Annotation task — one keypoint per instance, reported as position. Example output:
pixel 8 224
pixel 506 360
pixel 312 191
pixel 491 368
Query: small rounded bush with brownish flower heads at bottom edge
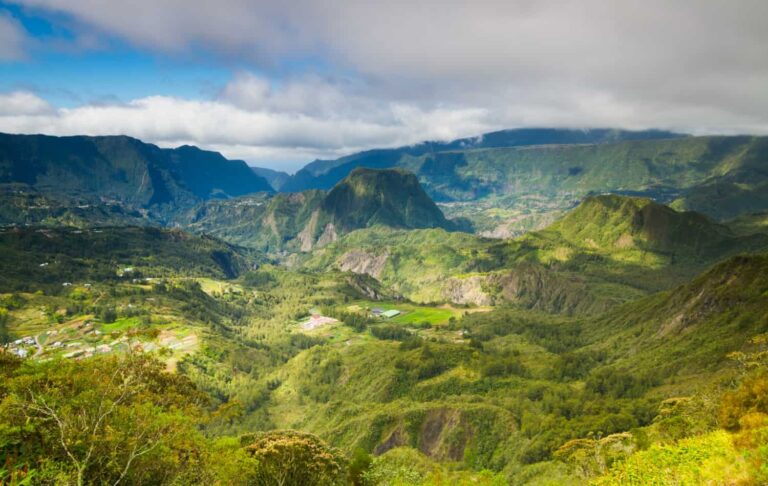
pixel 295 458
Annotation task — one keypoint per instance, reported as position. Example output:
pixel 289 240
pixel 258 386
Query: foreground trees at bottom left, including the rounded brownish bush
pixel 125 420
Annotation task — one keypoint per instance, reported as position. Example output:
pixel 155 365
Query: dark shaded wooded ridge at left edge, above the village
pixel 54 259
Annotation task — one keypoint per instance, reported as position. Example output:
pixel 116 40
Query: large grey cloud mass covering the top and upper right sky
pixel 684 58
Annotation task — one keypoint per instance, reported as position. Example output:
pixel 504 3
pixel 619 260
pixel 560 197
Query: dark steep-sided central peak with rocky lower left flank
pixel 302 221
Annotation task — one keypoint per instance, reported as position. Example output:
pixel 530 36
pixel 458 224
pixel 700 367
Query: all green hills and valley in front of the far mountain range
pixel 624 343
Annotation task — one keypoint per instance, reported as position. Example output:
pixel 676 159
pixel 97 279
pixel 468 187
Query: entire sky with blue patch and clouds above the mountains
pixel 279 84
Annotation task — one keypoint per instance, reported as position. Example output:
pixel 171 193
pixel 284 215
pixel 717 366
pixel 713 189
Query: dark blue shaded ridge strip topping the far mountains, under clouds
pixel 323 174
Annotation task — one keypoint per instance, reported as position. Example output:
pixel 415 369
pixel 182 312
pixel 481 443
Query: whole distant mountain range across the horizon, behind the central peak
pixel 500 184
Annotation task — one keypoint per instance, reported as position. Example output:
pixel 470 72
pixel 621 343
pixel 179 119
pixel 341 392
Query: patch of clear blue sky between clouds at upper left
pixel 69 75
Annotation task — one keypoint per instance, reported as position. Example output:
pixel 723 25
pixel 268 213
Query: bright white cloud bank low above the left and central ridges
pixel 273 134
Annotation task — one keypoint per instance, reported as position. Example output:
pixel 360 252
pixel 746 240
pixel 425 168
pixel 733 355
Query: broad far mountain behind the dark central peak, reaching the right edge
pixel 506 186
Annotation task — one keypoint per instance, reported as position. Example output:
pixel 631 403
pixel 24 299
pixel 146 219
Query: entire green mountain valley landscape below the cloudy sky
pixel 561 315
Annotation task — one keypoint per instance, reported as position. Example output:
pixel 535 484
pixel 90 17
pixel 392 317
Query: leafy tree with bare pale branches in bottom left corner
pixel 107 420
